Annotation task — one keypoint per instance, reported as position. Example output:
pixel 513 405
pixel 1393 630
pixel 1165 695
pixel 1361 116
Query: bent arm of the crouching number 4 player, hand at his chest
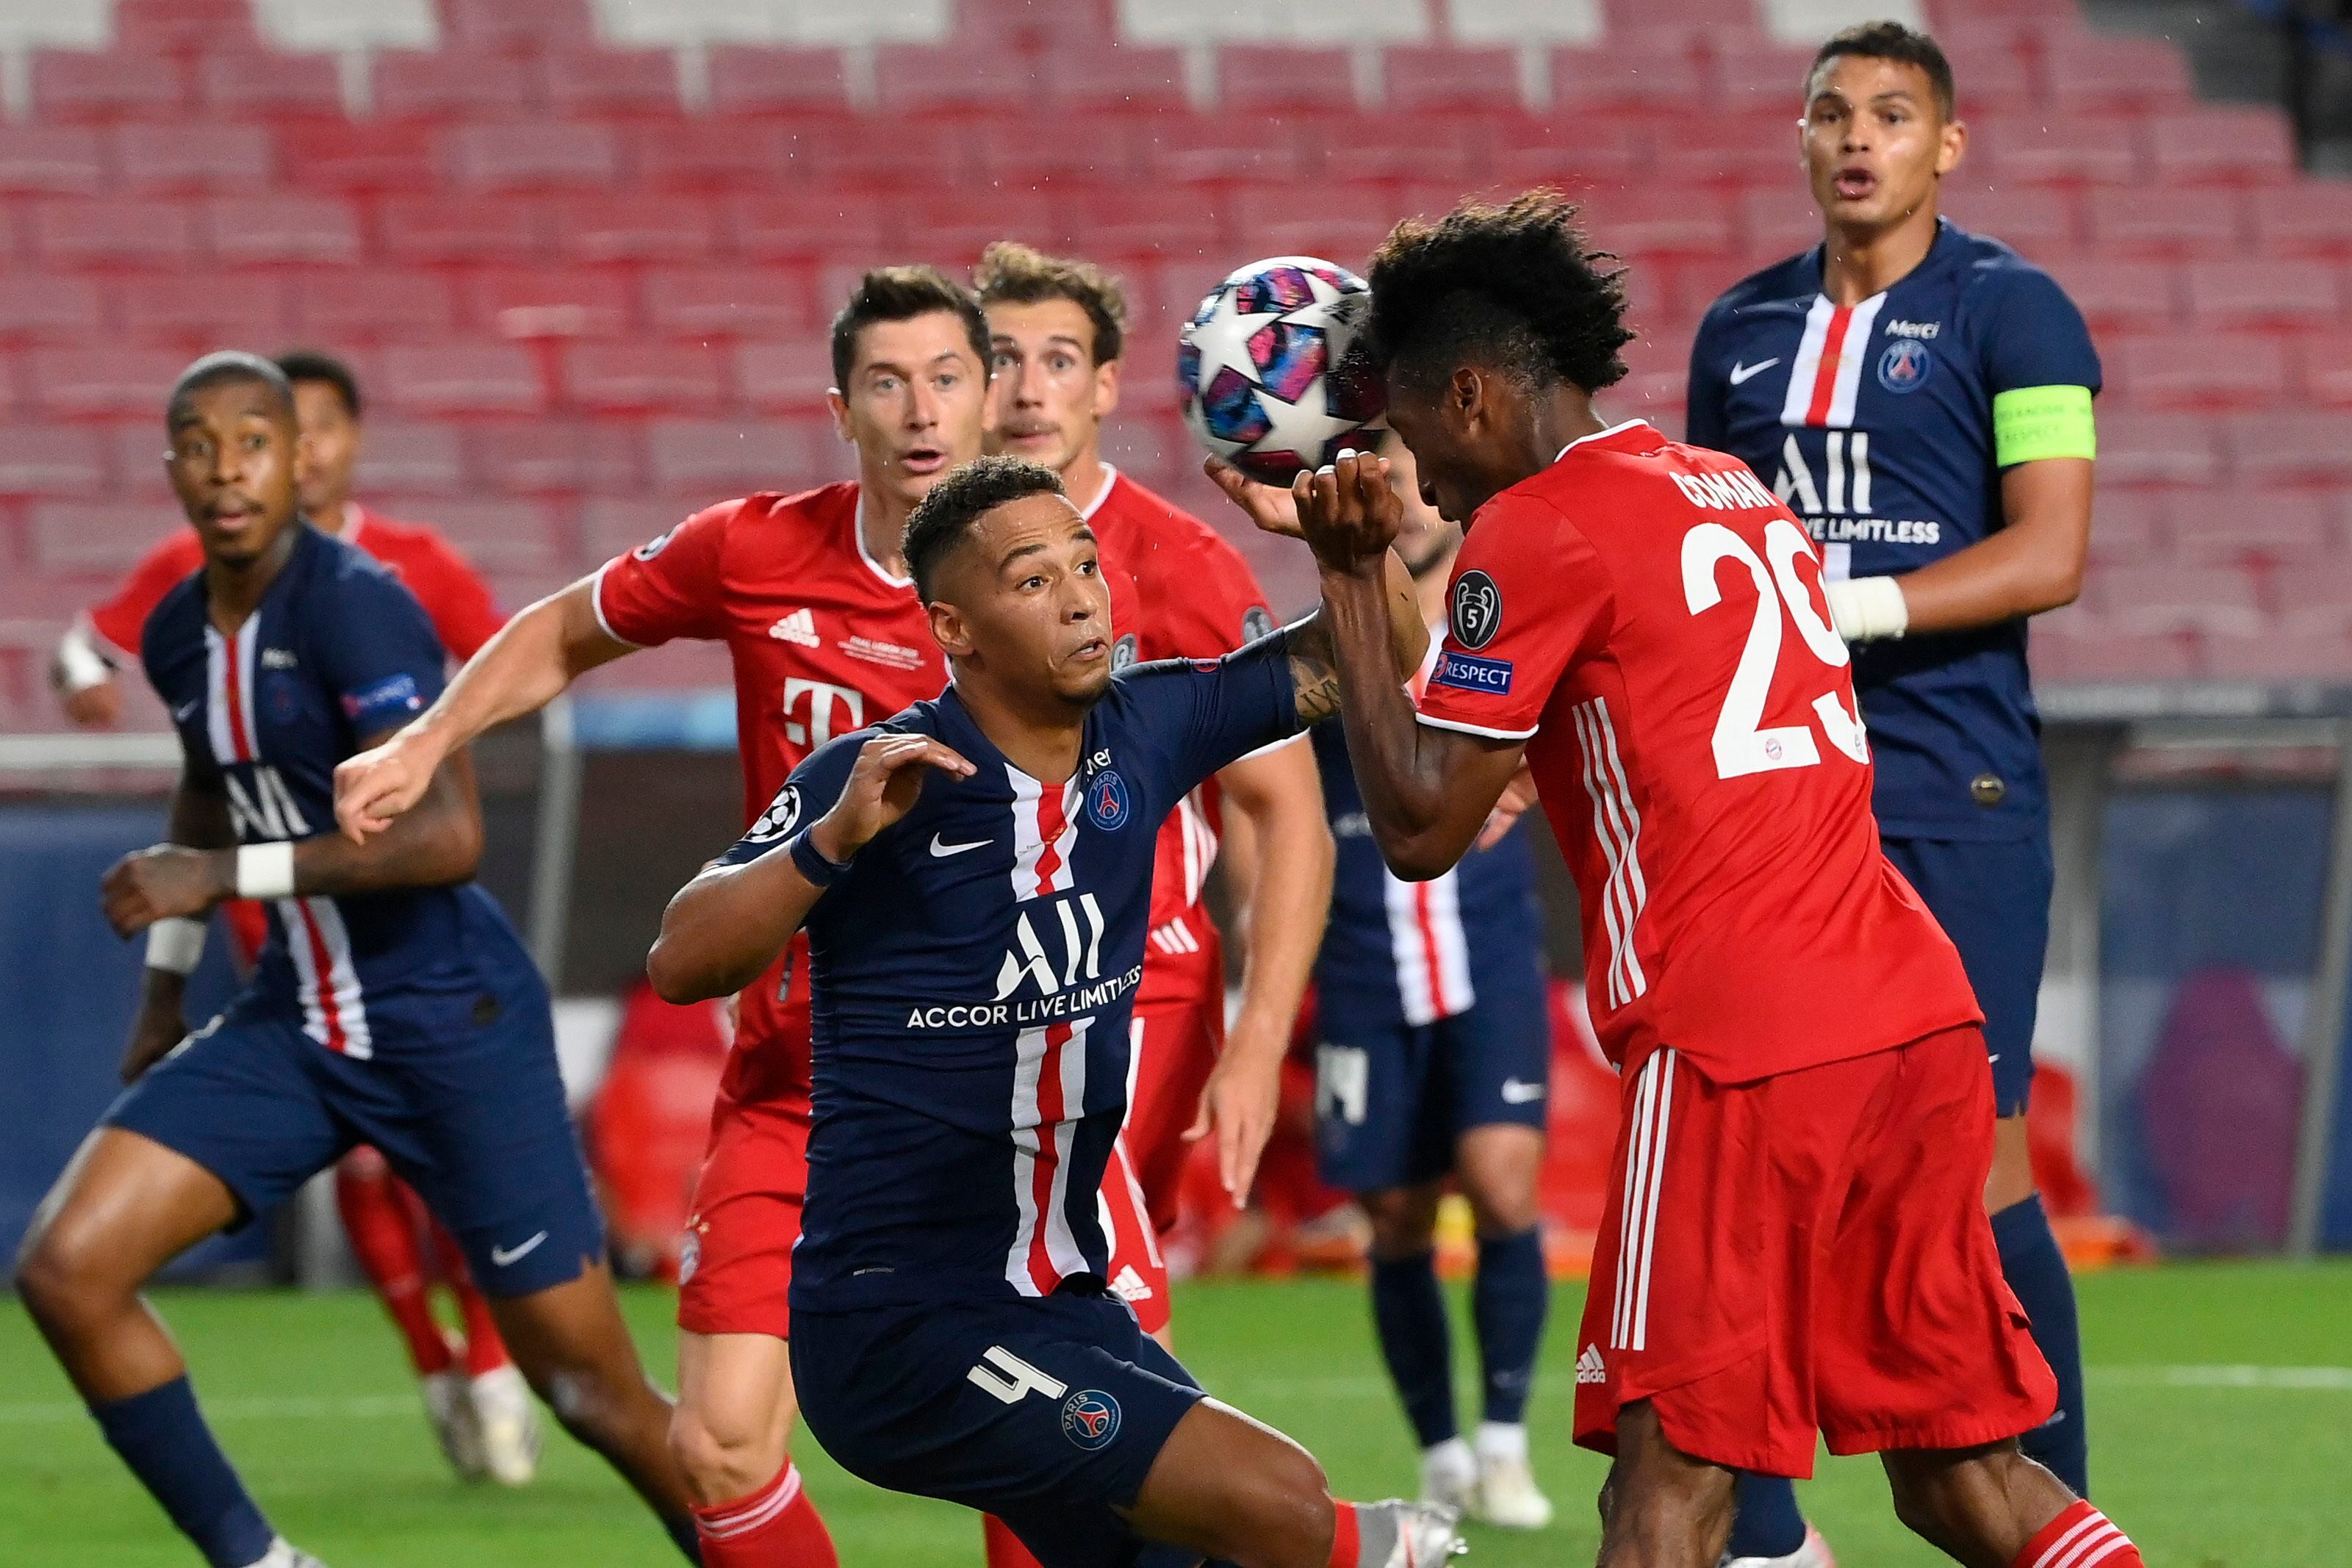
pixel 728 925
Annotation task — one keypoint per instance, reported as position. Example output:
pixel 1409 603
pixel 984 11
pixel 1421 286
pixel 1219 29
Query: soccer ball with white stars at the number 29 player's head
pixel 1271 375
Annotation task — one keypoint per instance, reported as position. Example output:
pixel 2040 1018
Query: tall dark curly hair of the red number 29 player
pixel 1514 288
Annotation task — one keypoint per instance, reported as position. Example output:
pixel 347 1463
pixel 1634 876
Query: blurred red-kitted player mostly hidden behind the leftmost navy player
pixel 474 1395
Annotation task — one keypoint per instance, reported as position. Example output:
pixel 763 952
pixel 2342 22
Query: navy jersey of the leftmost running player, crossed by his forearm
pixel 335 655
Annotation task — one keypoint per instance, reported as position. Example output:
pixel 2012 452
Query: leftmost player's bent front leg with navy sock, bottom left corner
pixel 123 1209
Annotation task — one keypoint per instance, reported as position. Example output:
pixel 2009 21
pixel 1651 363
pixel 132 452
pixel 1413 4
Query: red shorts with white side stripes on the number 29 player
pixel 1808 1254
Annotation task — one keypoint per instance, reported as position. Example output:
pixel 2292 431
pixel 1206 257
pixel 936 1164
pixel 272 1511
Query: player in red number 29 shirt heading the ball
pixel 1648 624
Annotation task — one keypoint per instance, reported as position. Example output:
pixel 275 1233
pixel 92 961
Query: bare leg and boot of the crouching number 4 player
pixel 1243 1494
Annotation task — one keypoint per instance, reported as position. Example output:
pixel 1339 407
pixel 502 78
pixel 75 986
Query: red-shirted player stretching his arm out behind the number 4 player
pixel 827 634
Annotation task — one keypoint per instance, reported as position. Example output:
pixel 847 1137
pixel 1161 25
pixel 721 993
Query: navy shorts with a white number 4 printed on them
pixel 1045 1414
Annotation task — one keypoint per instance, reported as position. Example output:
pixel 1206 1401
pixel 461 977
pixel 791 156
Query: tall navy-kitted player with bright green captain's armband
pixel 1923 398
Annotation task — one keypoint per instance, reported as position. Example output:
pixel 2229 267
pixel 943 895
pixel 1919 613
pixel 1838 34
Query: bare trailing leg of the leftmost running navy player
pixel 577 1355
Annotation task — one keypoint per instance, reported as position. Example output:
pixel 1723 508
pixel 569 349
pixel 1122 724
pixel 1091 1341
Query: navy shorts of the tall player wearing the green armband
pixel 1993 899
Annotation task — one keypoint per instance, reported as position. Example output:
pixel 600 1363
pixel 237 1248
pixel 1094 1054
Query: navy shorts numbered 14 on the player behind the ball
pixel 1394 1099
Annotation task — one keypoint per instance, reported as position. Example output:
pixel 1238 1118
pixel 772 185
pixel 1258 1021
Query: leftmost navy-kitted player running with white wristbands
pixel 392 1005
